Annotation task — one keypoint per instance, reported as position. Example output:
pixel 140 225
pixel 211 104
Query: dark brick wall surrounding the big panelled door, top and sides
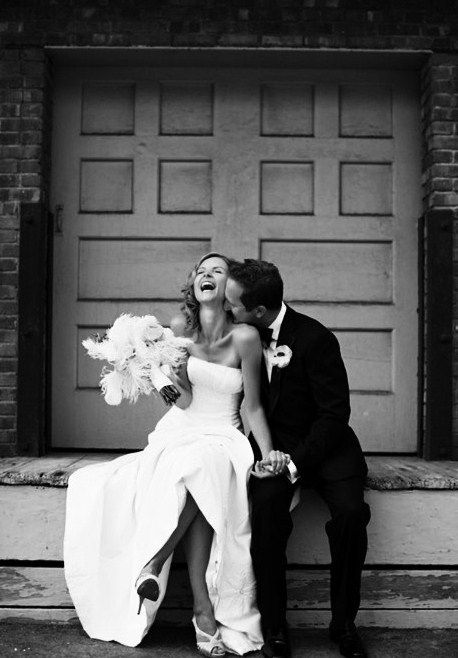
pixel 25 97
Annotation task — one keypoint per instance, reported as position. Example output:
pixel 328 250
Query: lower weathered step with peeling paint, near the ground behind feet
pixel 398 597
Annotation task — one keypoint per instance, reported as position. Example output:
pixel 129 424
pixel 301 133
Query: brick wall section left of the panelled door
pixel 24 169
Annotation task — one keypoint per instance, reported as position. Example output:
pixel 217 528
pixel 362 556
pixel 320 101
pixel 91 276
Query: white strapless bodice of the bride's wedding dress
pixel 216 392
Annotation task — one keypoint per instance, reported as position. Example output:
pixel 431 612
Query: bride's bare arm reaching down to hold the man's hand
pixel 250 350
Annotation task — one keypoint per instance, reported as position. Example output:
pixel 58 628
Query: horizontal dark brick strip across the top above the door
pixel 391 24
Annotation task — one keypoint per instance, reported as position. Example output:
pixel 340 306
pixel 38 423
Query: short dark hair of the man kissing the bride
pixel 261 282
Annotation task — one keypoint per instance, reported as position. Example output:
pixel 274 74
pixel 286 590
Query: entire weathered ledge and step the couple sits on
pixel 410 580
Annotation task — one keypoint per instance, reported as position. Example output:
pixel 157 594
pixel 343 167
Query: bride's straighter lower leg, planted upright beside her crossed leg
pixel 197 545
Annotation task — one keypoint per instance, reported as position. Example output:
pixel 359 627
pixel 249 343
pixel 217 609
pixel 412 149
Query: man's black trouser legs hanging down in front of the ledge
pixel 272 526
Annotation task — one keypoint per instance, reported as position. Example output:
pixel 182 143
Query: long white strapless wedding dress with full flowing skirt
pixel 120 513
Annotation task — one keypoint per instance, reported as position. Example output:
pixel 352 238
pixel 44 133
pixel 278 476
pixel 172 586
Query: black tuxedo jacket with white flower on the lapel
pixel 307 403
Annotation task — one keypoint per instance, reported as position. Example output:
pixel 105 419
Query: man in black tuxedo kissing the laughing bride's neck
pixel 305 395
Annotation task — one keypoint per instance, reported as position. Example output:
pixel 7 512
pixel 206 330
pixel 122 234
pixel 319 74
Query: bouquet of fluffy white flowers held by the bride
pixel 141 352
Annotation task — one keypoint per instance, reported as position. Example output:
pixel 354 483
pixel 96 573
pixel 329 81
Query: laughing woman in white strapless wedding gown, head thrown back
pixel 125 517
